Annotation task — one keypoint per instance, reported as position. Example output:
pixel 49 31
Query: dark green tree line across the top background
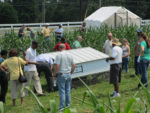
pixel 36 11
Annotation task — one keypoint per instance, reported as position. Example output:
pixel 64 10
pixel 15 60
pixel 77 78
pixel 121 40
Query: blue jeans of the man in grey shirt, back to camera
pixel 64 86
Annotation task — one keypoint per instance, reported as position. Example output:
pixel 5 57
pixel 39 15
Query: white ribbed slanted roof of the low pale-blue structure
pixel 83 55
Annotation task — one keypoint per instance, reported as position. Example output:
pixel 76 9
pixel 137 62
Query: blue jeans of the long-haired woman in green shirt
pixel 144 66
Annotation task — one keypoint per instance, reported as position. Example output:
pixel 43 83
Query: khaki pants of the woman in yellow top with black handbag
pixel 14 84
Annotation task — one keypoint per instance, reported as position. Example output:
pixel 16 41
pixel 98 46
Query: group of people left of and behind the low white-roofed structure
pixel 33 65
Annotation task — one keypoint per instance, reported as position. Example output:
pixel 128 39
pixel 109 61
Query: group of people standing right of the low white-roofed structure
pixel 119 58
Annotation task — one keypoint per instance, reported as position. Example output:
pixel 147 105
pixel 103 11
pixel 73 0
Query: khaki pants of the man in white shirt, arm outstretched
pixel 33 75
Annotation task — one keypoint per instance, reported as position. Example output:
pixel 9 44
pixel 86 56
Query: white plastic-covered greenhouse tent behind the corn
pixel 113 17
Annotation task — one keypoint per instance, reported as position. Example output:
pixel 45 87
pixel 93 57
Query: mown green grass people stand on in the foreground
pixel 128 88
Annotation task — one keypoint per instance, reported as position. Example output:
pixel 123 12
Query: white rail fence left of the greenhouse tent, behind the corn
pixel 38 26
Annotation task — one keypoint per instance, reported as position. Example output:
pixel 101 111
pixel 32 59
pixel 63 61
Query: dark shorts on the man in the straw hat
pixel 115 73
